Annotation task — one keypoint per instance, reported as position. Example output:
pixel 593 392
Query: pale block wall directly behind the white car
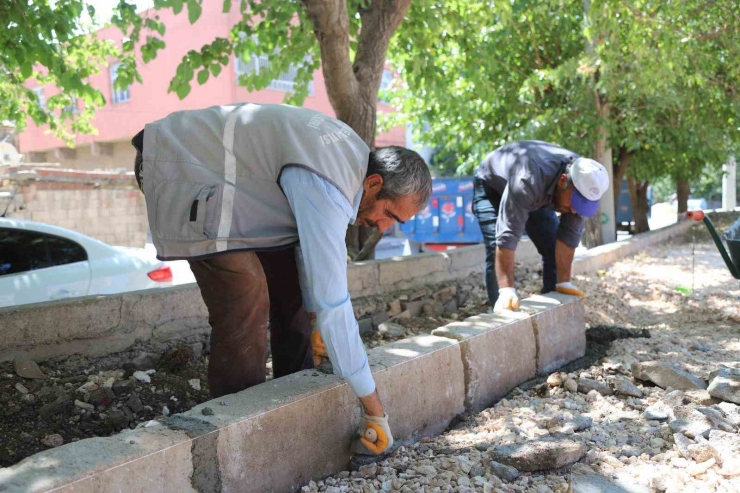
pixel 104 205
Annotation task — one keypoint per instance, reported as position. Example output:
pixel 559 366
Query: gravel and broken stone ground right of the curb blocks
pixel 602 428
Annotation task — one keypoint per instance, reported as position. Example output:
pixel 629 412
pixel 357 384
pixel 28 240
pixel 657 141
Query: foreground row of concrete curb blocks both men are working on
pixel 279 435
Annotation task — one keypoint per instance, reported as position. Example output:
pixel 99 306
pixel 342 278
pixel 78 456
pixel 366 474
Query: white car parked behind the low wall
pixel 40 262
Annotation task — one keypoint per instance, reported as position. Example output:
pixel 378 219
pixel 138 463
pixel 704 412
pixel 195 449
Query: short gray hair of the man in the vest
pixel 404 173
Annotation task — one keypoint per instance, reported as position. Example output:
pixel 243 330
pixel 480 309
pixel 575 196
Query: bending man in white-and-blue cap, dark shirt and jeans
pixel 518 188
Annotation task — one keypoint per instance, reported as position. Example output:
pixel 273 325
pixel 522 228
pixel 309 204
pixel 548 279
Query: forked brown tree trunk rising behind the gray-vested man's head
pixel 353 87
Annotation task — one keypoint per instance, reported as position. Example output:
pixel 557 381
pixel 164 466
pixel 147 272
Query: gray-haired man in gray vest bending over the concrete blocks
pixel 234 190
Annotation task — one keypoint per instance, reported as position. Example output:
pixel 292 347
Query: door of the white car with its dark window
pixel 37 267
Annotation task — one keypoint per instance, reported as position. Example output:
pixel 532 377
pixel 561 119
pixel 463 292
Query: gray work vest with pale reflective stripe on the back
pixel 211 176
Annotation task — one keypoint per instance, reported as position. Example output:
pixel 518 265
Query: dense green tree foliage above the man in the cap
pixel 669 72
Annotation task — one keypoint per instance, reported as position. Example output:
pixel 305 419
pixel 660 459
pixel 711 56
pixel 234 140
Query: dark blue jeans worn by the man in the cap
pixel 541 227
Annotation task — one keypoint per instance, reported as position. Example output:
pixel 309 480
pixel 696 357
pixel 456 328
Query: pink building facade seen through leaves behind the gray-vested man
pixel 126 112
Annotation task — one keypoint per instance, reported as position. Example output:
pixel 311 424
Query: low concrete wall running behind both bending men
pixel 108 324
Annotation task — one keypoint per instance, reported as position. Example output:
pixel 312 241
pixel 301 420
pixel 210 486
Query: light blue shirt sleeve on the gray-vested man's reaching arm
pixel 322 214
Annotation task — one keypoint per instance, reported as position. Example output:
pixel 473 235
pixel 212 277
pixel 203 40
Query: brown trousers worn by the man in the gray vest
pixel 244 291
